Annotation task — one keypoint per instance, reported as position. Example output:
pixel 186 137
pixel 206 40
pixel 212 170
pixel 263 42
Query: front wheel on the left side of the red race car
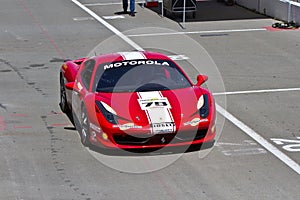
pixel 84 128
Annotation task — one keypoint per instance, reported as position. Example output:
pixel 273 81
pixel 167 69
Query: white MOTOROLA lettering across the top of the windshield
pixel 134 62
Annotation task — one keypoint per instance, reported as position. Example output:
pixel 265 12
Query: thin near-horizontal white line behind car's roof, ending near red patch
pixel 197 32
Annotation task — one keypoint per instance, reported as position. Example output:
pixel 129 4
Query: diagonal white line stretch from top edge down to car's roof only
pixel 107 25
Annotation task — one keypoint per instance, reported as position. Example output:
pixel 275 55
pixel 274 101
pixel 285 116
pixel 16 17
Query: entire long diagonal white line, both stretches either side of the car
pixel 272 149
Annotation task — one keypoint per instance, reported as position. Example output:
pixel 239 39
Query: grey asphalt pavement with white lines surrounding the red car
pixel 256 156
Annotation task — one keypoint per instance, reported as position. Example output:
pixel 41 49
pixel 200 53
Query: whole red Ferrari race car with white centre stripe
pixel 136 100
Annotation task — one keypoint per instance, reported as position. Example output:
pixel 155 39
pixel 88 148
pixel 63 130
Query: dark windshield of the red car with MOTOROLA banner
pixel 138 76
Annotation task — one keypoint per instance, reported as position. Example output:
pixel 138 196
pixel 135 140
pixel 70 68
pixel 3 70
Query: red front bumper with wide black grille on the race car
pixel 131 140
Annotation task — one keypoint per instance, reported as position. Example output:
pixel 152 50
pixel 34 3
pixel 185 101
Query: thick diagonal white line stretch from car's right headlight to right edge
pixel 271 148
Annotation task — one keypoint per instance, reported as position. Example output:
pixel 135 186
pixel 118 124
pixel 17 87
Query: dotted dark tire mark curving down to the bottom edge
pixel 56 147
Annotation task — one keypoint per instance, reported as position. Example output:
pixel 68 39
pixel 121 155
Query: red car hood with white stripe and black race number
pixel 143 108
